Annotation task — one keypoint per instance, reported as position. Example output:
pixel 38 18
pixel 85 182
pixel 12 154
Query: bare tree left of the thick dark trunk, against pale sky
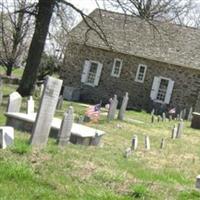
pixel 14 28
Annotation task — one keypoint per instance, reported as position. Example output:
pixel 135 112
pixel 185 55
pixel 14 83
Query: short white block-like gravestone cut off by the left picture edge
pixel 6 136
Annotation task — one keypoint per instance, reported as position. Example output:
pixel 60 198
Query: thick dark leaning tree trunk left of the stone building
pixel 43 19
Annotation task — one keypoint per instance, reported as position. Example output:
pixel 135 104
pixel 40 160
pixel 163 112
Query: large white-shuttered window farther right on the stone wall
pixel 162 88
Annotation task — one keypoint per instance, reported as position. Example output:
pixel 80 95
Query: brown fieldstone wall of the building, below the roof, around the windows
pixel 187 80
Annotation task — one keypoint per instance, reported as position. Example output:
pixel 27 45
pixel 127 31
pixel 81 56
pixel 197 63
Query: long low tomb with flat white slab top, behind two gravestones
pixel 80 134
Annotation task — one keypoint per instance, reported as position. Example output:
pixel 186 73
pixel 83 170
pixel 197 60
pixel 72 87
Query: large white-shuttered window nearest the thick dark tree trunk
pixel 91 72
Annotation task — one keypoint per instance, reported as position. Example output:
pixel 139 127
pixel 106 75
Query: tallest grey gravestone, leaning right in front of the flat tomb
pixel 46 111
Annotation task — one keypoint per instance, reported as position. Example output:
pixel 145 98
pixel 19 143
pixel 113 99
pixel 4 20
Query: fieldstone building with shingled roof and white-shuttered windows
pixel 157 63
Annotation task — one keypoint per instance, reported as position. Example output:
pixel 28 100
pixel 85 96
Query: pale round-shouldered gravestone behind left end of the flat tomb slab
pixel 14 102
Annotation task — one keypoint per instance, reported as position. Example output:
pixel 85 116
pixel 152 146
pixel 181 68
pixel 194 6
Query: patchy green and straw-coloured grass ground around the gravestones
pixel 102 172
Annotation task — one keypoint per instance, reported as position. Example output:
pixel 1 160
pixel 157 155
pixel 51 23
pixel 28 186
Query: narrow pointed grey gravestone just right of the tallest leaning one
pixel 66 126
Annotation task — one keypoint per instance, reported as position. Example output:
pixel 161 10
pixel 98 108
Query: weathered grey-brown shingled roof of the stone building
pixel 170 43
